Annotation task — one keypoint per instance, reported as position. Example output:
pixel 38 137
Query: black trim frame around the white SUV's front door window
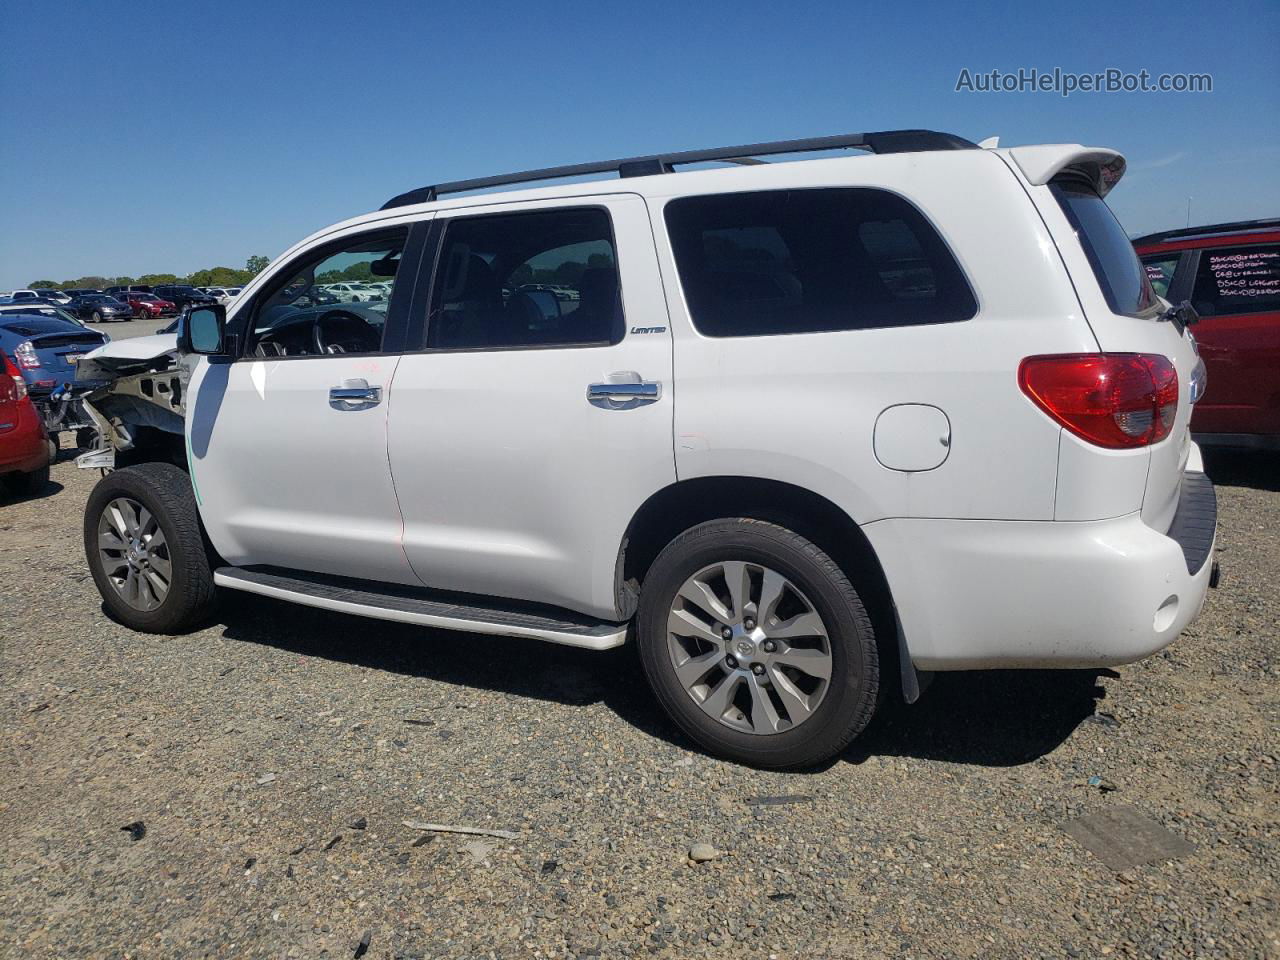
pixel 397 308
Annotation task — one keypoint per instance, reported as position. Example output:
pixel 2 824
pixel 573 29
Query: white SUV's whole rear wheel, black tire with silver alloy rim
pixel 815 586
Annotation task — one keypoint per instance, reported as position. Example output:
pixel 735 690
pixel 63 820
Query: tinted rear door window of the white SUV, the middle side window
pixel 537 280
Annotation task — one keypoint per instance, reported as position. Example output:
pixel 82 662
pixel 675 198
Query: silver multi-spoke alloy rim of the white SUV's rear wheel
pixel 749 648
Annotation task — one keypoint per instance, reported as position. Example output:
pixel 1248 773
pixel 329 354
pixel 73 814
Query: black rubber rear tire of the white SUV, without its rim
pixel 852 697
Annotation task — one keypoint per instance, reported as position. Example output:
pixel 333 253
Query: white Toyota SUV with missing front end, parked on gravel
pixel 811 431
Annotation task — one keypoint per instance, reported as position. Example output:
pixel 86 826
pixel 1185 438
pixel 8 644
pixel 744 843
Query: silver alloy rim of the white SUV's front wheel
pixel 135 554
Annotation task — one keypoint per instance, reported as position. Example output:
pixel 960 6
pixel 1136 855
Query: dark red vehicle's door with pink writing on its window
pixel 1237 294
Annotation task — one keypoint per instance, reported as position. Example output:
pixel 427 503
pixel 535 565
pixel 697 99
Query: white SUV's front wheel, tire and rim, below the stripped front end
pixel 166 493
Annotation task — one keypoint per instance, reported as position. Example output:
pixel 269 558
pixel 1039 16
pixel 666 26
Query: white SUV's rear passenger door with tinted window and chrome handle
pixel 538 415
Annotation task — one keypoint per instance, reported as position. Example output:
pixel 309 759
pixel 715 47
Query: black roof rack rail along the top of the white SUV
pixel 883 143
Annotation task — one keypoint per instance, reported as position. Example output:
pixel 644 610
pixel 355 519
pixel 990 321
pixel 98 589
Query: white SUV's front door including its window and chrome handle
pixel 289 444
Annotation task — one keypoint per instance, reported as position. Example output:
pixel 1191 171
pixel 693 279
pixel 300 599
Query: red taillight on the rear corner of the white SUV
pixel 1110 400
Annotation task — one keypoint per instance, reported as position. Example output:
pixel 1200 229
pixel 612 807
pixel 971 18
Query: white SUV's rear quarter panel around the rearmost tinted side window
pixel 803 409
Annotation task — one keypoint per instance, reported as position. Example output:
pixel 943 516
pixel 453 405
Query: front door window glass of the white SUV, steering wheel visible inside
pixel 296 317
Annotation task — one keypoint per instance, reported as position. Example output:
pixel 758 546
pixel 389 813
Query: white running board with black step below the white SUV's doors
pixel 409 606
